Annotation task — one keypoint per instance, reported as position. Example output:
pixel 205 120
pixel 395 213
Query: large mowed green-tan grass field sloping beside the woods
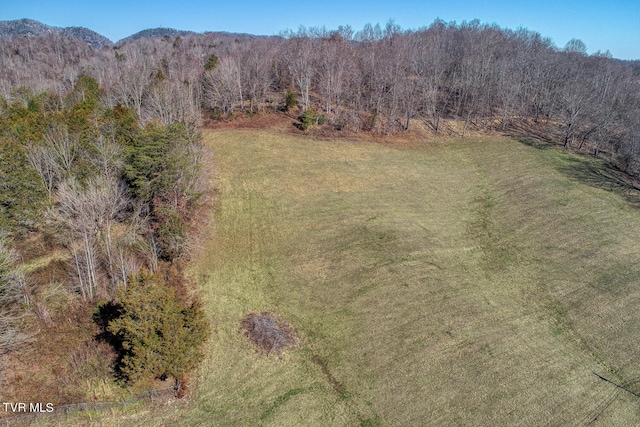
pixel 481 282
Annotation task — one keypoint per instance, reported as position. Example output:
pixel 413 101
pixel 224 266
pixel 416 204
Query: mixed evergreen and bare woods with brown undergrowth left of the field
pixel 94 204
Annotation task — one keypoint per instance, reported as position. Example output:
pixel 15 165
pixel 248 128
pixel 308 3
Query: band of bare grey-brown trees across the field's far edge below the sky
pixel 381 79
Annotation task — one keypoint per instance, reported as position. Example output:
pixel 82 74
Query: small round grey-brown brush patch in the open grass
pixel 268 333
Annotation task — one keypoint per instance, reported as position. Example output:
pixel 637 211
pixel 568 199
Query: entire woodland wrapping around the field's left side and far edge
pixel 101 165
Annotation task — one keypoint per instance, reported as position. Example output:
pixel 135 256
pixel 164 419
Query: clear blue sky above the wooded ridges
pixel 612 25
